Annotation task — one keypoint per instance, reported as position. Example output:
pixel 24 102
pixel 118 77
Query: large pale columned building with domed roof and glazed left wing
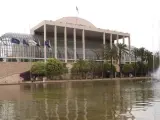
pixel 67 39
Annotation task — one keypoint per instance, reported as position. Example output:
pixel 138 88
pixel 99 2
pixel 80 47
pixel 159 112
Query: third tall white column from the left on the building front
pixel 65 44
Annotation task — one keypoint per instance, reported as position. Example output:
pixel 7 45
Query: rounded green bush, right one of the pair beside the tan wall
pixel 54 67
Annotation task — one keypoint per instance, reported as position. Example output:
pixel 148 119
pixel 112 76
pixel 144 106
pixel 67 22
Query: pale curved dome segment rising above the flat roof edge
pixel 75 20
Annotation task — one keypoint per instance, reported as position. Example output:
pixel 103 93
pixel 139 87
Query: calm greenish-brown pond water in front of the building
pixel 125 100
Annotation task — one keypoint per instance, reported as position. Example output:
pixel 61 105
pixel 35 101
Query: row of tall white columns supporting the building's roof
pixel 83 43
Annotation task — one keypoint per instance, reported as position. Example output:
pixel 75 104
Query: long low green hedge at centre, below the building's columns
pixel 83 69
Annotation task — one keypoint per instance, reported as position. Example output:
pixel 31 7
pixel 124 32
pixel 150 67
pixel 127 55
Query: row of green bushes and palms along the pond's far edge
pixel 90 69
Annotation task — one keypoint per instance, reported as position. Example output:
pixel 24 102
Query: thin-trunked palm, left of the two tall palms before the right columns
pixel 111 53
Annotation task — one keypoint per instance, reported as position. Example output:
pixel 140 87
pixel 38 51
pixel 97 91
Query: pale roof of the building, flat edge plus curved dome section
pixel 71 22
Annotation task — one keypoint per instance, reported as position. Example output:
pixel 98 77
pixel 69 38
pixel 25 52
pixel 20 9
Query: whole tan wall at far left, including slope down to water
pixel 10 70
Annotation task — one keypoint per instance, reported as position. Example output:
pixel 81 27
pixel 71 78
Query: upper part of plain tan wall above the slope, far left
pixel 11 68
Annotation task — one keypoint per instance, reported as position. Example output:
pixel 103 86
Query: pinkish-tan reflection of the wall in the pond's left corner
pixel 11 97
